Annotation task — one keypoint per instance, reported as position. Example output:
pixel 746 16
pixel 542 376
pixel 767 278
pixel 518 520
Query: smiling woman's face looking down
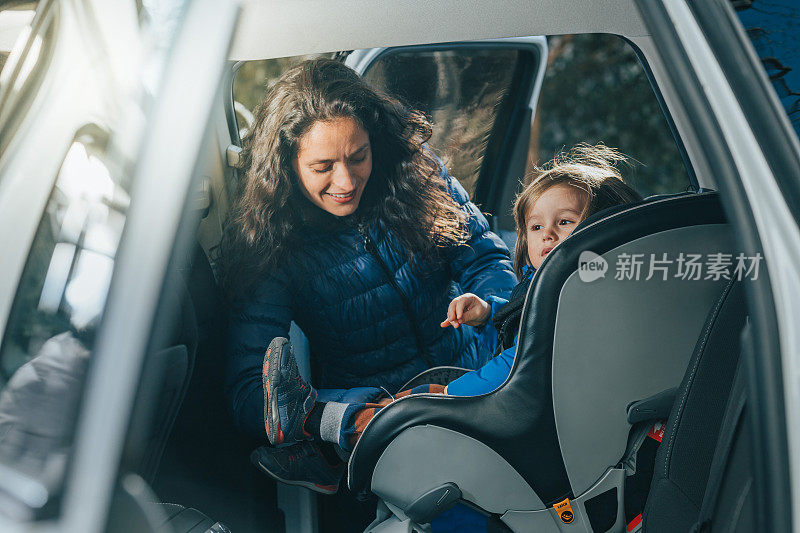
pixel 334 161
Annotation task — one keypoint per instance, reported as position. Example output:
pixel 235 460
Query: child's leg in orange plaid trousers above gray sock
pixel 343 423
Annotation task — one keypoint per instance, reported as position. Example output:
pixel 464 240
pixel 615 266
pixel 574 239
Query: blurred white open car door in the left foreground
pixel 92 188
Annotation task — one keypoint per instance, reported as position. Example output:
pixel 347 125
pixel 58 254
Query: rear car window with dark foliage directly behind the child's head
pixel 596 90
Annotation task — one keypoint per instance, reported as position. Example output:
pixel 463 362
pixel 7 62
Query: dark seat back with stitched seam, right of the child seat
pixel 684 458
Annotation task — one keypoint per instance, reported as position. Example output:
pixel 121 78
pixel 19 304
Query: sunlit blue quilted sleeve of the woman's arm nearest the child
pixel 482 266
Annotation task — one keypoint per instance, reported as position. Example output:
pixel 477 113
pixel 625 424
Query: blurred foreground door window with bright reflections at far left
pixel 58 305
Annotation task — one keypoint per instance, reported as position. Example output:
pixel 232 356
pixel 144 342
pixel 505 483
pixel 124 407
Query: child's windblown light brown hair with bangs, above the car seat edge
pixel 592 169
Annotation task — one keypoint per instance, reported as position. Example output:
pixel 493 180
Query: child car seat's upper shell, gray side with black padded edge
pixel 523 421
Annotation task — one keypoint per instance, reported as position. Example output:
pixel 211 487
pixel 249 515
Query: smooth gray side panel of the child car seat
pixel 621 340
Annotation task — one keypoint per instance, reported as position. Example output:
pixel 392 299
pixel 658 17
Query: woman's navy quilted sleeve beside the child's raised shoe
pixel 263 314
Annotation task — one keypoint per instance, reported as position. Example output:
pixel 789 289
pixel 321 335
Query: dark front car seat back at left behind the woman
pixel 206 461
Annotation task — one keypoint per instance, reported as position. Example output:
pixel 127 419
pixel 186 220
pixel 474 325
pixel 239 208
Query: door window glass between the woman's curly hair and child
pixel 460 90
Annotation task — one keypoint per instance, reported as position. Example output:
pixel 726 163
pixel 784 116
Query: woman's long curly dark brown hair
pixel 405 191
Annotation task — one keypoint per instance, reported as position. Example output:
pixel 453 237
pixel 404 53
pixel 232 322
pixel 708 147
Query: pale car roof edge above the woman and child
pixel 281 28
